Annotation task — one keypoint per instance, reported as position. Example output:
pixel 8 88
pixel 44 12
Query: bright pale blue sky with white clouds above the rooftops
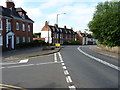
pixel 78 12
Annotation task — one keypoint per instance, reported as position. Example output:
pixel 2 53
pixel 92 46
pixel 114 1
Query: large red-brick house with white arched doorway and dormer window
pixel 15 26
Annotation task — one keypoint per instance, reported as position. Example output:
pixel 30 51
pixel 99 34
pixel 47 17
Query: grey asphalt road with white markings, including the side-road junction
pixel 75 67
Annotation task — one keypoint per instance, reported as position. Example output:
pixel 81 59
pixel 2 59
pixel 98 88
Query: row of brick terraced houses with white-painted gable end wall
pixel 55 34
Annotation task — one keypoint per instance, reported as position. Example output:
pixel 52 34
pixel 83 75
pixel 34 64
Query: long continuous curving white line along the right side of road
pixel 99 60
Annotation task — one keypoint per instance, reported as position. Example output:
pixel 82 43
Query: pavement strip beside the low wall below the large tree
pixel 104 52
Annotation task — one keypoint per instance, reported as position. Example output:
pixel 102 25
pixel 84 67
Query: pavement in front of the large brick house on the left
pixel 26 53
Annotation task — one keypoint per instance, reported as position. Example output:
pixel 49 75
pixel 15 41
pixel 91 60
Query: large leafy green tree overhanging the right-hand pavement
pixel 105 23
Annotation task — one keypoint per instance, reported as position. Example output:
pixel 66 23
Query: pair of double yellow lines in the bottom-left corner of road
pixel 10 87
